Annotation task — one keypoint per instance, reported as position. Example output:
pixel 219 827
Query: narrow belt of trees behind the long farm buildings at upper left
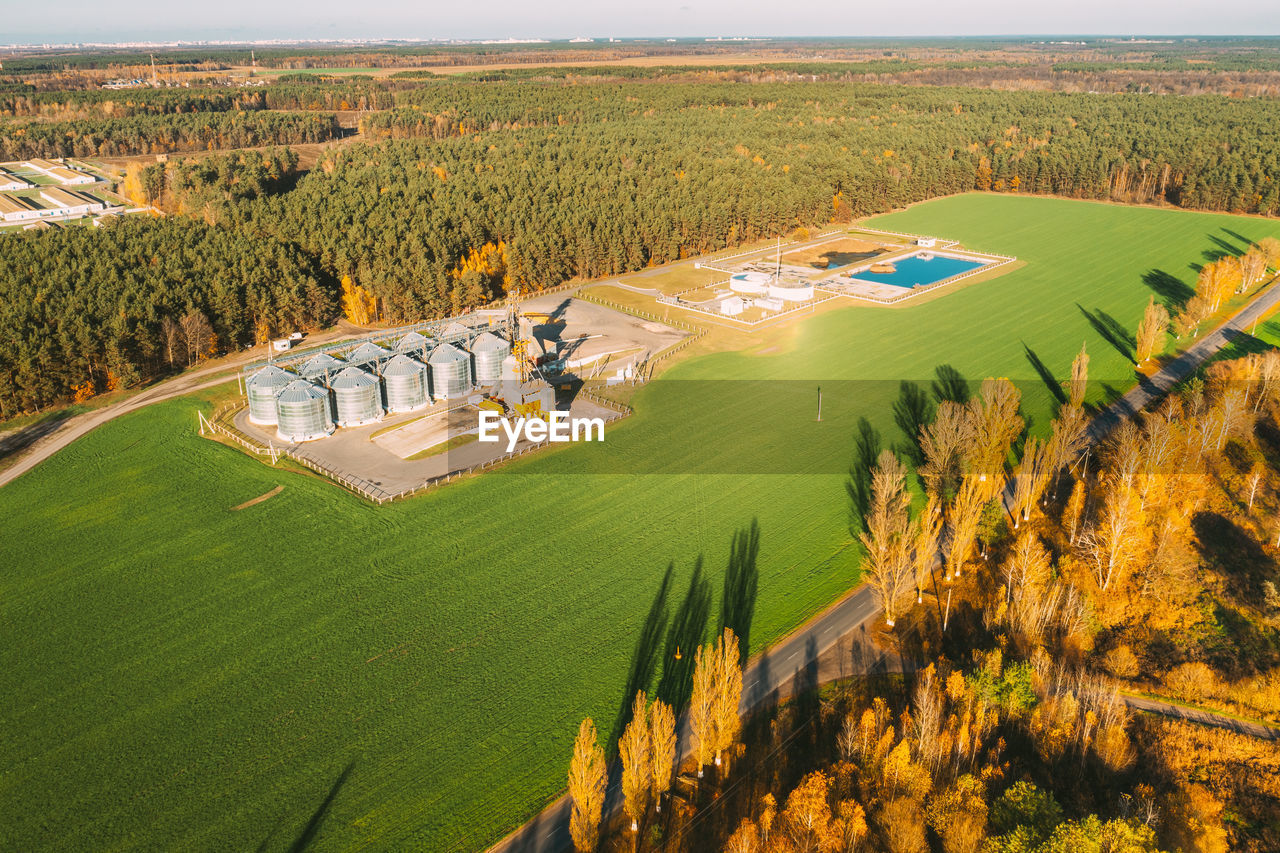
pixel 163 134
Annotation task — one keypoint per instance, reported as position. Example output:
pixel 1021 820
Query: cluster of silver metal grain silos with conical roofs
pixel 371 382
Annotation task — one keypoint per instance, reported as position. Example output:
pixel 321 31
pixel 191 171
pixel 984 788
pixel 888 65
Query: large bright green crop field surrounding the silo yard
pixel 177 676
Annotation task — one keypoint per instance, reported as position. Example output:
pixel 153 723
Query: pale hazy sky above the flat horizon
pixel 111 21
